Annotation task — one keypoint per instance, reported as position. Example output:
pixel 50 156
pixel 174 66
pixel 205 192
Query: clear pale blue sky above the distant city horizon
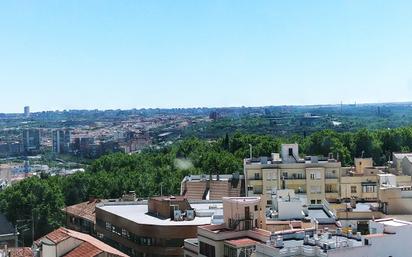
pixel 57 55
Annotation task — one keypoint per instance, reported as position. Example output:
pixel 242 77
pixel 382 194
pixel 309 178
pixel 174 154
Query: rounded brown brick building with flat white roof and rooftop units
pixel 157 226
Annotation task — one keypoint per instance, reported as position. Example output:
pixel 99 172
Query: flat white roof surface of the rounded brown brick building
pixel 138 212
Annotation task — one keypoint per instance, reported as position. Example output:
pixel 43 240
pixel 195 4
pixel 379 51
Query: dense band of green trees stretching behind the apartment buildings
pixel 42 198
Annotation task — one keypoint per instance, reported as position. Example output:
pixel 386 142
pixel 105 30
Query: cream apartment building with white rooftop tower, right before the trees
pixel 317 177
